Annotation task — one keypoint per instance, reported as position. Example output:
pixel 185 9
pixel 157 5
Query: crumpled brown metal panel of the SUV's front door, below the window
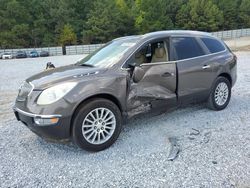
pixel 155 90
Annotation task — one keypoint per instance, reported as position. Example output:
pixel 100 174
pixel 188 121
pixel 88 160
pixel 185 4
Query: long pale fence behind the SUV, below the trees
pixel 87 49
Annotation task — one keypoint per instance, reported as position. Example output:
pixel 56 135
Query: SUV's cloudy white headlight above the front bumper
pixel 55 93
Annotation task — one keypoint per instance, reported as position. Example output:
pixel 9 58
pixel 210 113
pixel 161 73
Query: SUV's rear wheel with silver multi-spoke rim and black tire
pixel 214 102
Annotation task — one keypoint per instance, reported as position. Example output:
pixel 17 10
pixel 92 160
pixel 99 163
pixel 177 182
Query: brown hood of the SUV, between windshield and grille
pixel 51 77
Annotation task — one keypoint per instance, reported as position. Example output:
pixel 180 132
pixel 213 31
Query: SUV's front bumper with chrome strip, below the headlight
pixel 58 131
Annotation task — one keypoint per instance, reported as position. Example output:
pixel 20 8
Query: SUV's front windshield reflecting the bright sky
pixel 109 54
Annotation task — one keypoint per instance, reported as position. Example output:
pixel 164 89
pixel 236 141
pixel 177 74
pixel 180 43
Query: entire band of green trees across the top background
pixel 35 23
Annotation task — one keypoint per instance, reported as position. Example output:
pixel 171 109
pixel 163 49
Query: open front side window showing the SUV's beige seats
pixel 153 52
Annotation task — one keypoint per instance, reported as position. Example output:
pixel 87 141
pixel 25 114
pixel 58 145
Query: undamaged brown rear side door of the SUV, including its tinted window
pixel 195 70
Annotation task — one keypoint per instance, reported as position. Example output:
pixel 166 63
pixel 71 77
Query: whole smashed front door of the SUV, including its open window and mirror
pixel 153 80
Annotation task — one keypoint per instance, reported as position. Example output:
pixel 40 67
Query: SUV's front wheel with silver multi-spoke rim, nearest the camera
pixel 85 124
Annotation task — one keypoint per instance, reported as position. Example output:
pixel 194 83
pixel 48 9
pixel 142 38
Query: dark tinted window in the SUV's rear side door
pixel 186 47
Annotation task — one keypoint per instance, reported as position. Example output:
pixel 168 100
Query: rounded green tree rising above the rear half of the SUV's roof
pixel 199 15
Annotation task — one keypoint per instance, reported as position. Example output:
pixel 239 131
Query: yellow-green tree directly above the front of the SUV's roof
pixel 152 16
